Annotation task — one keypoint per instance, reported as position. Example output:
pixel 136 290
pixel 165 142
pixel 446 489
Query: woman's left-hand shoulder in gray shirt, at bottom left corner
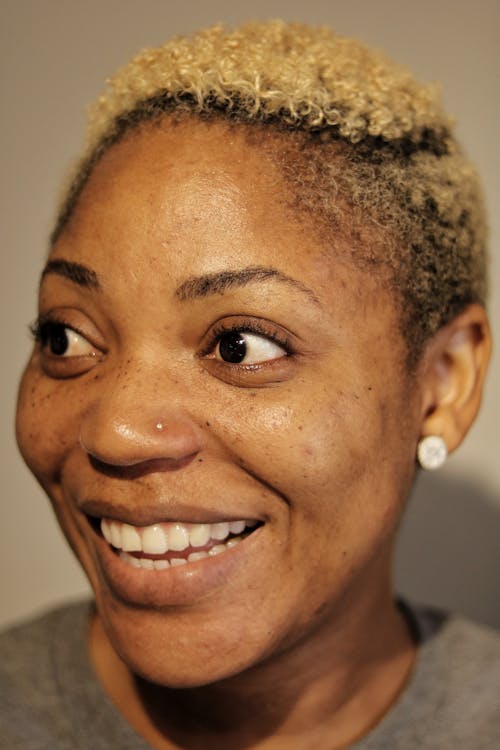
pixel 50 698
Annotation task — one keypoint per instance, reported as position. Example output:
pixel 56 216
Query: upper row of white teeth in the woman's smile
pixel 162 537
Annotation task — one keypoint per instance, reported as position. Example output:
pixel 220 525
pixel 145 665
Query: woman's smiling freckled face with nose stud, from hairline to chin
pixel 205 360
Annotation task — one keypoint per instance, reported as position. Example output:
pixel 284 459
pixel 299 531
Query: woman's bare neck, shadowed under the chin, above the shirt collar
pixel 337 684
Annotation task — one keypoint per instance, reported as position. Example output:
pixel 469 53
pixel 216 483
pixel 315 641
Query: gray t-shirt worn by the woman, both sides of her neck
pixel 51 700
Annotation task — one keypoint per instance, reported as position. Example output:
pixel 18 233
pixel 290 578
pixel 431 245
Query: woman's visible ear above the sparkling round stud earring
pixel 453 371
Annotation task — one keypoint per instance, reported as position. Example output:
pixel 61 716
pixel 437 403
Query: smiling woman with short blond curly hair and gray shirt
pixel 263 305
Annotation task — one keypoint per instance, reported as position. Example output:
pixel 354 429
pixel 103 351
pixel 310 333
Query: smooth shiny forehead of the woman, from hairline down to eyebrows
pixel 198 197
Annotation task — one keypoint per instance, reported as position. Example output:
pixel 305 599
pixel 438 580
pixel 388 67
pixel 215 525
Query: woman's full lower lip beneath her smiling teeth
pixel 174 586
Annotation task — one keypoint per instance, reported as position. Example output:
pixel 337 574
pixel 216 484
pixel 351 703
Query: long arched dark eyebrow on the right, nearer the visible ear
pixel 223 281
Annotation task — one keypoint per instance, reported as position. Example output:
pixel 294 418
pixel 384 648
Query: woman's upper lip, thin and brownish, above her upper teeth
pixel 146 515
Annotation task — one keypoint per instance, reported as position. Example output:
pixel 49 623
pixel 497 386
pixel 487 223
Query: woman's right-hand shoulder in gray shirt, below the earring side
pixel 451 700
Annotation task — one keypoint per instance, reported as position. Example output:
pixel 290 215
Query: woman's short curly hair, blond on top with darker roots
pixel 365 146
